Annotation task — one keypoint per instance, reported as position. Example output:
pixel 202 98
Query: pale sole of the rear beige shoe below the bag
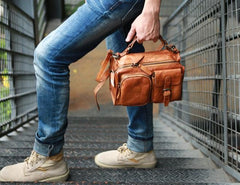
pixel 145 165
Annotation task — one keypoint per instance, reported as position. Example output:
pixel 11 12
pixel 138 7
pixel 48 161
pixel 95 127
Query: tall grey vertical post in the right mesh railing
pixel 224 76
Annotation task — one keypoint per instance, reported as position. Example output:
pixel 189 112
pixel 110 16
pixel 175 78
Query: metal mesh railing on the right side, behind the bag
pixel 208 35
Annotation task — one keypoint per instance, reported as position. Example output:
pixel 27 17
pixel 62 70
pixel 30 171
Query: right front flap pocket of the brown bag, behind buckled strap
pixel 167 80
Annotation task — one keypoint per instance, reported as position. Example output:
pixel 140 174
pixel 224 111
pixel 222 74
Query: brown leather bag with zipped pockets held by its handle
pixel 139 78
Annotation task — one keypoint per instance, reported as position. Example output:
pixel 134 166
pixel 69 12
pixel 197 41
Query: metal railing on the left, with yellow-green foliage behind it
pixel 17 79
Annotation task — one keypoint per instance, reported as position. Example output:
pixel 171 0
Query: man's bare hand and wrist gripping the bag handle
pixel 147 25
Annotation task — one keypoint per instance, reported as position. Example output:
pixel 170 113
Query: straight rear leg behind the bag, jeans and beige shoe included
pixel 140 128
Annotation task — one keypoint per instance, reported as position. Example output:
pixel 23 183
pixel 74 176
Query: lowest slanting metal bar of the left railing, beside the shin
pixel 21 124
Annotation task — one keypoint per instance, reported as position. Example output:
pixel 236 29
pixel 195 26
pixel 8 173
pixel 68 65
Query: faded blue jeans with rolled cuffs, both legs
pixel 79 34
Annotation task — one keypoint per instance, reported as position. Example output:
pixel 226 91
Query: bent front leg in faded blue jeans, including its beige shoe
pixel 79 34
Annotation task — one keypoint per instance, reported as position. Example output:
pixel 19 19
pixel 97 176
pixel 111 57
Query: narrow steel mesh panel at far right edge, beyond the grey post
pixel 232 48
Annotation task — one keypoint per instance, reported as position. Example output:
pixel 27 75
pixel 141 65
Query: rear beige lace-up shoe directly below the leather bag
pixel 125 158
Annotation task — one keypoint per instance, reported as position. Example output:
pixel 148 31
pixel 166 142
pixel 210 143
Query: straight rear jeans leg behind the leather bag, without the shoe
pixel 140 128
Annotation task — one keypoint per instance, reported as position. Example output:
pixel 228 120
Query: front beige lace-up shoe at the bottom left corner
pixel 37 168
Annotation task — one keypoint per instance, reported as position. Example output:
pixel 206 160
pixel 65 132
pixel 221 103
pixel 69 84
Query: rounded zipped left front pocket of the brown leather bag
pixel 134 90
